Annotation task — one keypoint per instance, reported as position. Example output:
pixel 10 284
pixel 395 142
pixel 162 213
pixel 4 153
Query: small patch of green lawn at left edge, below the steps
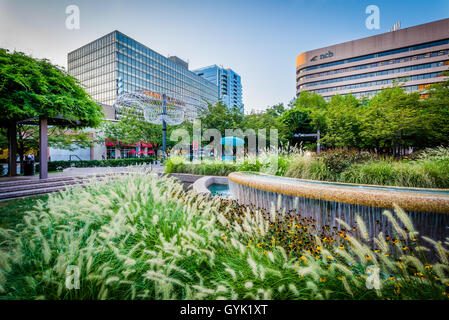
pixel 11 211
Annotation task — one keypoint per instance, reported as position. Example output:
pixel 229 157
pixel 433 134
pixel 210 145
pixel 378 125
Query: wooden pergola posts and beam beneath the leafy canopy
pixel 43 124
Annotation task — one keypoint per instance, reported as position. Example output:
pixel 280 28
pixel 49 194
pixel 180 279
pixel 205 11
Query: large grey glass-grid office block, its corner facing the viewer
pixel 116 64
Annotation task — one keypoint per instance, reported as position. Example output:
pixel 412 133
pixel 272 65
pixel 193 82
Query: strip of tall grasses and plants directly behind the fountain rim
pixel 428 169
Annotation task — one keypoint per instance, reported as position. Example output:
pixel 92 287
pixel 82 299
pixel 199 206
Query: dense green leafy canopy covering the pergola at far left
pixel 33 88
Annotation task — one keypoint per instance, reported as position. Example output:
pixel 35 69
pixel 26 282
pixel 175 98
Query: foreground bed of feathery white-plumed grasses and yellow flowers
pixel 143 237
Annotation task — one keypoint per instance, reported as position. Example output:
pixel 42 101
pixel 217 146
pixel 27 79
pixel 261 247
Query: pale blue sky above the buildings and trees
pixel 258 39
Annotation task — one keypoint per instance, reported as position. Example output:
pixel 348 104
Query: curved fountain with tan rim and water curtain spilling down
pixel 325 201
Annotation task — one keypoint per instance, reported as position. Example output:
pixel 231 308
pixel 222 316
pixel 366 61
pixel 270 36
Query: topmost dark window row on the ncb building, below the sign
pixel 377 64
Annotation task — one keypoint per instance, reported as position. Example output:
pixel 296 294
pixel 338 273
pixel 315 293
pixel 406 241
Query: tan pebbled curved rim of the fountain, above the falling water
pixel 411 199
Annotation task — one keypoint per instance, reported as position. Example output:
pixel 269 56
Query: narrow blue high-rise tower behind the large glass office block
pixel 229 83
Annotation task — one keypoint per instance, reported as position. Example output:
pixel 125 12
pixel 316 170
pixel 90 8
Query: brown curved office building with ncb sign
pixel 417 55
